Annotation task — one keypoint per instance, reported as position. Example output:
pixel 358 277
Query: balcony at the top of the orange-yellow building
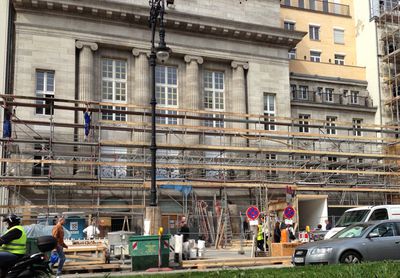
pixel 318 6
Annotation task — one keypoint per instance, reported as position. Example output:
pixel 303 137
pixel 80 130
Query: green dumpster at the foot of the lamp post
pixel 144 251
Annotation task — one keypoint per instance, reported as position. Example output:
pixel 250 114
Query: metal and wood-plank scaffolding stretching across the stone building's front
pixel 49 165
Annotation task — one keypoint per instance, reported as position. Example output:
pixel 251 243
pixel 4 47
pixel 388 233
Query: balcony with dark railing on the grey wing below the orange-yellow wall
pixel 313 97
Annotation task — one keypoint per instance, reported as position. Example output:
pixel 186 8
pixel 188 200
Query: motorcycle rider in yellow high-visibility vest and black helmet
pixel 12 244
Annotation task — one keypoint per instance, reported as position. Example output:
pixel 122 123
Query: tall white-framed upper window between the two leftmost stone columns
pixel 113 87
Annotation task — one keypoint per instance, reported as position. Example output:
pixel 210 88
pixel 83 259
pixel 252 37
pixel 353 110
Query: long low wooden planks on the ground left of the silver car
pixel 210 263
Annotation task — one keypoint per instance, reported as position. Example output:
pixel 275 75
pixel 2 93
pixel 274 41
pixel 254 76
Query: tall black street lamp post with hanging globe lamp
pixel 161 53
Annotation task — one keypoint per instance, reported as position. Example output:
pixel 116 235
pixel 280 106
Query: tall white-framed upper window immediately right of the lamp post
pixel 167 92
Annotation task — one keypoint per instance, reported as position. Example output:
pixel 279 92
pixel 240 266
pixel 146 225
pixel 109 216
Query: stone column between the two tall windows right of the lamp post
pixel 191 99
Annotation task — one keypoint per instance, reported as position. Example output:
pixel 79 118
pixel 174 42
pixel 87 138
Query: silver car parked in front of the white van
pixel 368 241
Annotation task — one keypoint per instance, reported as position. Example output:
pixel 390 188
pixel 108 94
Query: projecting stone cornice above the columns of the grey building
pixel 177 21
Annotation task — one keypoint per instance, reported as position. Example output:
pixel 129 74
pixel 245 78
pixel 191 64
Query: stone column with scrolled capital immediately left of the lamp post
pixel 141 93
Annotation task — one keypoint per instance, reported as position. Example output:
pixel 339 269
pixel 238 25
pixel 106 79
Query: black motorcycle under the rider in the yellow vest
pixel 35 265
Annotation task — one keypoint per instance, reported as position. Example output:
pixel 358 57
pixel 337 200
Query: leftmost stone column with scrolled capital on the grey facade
pixel 85 93
